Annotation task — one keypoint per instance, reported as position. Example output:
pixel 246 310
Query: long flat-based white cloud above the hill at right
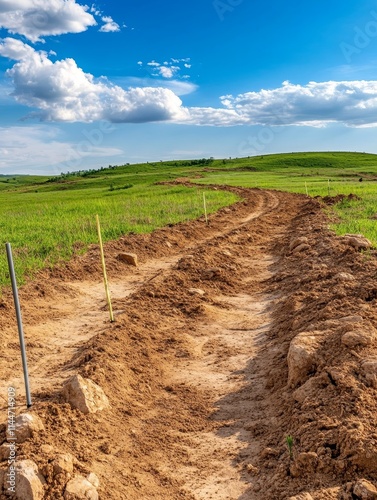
pixel 353 103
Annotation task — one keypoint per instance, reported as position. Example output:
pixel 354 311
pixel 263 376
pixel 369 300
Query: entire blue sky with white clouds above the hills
pixel 88 85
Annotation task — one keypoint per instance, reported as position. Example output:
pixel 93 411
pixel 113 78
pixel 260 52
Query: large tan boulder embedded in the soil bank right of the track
pixel 302 356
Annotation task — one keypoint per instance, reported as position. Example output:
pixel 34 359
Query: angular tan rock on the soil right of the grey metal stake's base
pixel 85 395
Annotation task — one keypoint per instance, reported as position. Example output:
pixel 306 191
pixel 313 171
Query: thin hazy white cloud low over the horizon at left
pixel 38 148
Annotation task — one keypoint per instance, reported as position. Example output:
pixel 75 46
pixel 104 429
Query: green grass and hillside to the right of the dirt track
pixel 318 174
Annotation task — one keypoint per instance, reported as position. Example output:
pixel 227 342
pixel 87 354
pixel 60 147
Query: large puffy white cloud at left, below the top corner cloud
pixel 64 92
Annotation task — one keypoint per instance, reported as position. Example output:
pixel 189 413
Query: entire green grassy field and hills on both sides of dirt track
pixel 48 219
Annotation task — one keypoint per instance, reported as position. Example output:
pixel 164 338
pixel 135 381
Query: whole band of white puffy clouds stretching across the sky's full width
pixel 61 91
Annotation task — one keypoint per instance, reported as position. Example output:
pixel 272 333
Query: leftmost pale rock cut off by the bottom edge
pixel 29 483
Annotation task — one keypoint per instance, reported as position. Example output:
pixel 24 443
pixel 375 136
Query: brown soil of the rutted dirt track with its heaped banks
pixel 198 384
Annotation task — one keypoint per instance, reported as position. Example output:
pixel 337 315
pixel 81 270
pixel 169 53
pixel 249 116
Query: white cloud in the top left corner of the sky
pixel 37 18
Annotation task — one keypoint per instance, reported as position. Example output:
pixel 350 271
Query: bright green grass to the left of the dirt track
pixel 46 225
